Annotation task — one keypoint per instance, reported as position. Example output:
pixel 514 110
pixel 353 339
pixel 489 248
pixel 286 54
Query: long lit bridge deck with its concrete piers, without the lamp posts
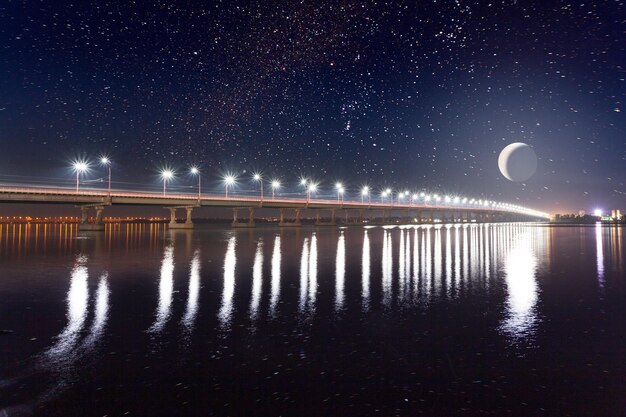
pixel 289 210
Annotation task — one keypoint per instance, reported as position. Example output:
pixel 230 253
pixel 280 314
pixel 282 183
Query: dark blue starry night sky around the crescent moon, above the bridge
pixel 409 95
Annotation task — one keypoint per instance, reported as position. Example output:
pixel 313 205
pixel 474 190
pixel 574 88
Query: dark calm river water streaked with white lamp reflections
pixel 446 320
